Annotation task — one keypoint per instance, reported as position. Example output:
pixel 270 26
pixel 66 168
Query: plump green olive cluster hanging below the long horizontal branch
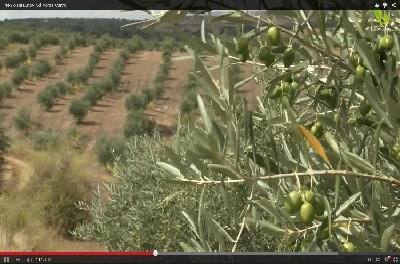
pixel 306 203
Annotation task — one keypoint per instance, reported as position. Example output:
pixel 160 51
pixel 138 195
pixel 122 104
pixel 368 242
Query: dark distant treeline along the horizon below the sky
pixel 91 26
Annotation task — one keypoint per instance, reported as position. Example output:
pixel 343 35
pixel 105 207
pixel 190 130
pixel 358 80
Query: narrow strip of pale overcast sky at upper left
pixel 15 14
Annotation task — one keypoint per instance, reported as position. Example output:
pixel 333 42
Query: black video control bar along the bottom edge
pixel 220 258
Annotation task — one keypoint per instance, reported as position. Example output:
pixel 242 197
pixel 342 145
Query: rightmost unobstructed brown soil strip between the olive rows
pixel 165 110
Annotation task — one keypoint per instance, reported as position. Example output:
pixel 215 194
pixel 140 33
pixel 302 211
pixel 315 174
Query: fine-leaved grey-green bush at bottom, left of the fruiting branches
pixel 143 198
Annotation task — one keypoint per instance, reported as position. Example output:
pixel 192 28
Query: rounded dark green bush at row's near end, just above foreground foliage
pixel 137 124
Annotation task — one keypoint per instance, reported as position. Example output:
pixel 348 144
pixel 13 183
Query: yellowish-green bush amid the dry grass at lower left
pixel 60 182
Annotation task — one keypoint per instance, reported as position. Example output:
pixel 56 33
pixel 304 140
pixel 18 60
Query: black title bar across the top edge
pixel 196 4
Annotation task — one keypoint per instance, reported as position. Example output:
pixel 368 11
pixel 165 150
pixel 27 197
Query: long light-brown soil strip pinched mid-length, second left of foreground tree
pixel 108 116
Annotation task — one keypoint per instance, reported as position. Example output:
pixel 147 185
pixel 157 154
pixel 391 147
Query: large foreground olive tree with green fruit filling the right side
pixel 313 165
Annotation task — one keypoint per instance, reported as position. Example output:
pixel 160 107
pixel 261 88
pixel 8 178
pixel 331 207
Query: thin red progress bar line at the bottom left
pixel 57 253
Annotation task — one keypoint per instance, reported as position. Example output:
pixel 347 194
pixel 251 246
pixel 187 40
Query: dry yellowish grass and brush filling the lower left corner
pixel 40 215
